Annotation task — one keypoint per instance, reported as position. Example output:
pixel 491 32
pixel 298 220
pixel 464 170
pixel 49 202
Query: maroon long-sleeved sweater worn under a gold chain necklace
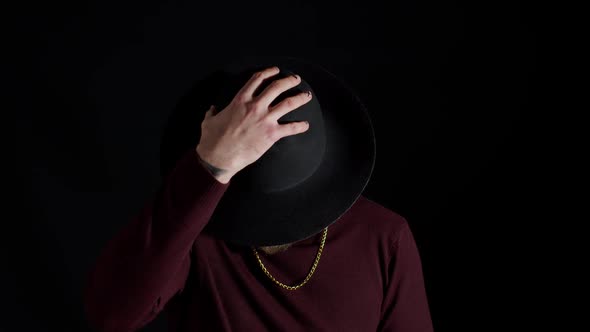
pixel 369 277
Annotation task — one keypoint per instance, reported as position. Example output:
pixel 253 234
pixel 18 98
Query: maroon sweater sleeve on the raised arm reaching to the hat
pixel 148 261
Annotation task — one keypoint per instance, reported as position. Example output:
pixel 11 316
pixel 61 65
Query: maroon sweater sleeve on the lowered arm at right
pixel 405 306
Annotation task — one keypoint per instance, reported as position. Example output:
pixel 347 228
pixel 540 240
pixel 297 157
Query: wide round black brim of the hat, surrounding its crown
pixel 245 217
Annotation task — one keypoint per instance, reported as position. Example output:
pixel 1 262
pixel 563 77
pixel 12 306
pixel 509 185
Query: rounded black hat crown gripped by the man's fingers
pixel 292 159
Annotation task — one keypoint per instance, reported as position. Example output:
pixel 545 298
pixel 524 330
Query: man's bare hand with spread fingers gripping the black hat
pixel 244 130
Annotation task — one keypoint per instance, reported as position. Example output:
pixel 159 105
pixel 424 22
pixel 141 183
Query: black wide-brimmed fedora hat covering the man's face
pixel 304 182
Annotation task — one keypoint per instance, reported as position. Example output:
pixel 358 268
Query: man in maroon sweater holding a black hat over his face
pixel 192 252
